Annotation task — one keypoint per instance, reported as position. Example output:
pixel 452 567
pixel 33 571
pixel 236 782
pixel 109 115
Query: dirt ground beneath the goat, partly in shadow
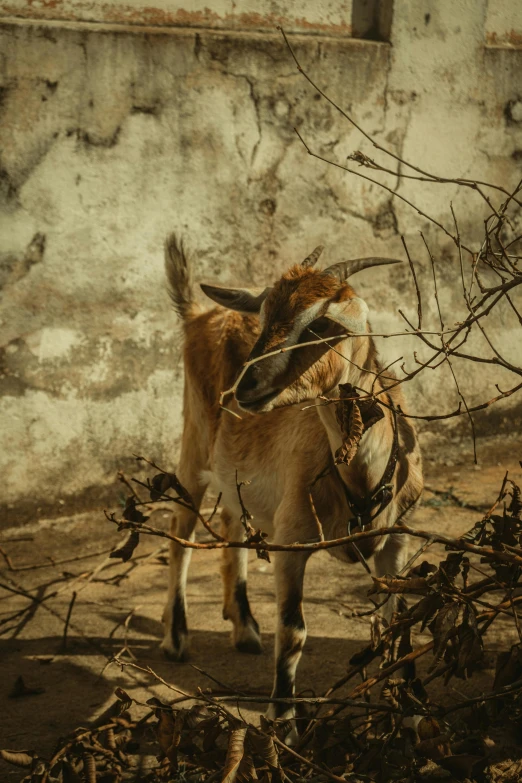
pixel 119 605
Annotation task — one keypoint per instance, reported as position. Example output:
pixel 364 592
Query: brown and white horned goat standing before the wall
pixel 282 452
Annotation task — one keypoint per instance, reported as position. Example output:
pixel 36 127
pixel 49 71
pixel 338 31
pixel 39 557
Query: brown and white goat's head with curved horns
pixel 303 305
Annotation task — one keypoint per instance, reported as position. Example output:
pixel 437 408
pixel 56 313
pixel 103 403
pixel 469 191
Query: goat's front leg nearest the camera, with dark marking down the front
pixel 291 630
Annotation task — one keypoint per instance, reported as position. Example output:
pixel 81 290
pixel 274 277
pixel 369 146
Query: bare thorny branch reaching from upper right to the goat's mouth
pixel 491 255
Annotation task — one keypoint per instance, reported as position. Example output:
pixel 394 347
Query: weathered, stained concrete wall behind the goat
pixel 112 138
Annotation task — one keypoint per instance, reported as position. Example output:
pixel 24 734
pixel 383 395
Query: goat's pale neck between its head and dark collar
pixel 367 467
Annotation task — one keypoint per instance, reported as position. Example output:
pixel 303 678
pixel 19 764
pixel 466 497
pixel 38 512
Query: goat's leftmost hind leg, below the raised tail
pixel 175 640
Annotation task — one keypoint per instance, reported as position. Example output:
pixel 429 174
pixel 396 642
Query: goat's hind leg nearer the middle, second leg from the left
pixel 236 607
